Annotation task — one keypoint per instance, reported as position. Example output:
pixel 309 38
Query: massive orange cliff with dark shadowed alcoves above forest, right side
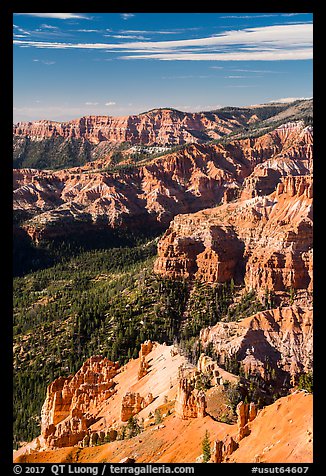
pixel 265 241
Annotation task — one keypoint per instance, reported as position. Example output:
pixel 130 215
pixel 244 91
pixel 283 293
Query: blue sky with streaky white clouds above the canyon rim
pixel 68 65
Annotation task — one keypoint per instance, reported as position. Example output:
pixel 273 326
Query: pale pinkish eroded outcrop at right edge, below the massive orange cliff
pixel 281 337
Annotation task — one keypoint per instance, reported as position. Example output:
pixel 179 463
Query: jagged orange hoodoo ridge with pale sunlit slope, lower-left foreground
pixel 91 406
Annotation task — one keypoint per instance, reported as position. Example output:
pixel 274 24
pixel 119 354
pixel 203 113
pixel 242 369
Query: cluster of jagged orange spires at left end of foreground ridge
pixel 71 402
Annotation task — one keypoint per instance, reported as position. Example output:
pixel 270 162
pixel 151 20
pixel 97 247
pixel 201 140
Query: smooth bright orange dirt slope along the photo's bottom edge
pixel 281 432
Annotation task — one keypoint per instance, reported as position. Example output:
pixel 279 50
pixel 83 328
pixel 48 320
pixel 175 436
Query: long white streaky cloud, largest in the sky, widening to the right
pixel 269 43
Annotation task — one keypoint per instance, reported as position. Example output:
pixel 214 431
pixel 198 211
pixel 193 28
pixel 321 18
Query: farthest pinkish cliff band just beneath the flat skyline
pixel 160 126
